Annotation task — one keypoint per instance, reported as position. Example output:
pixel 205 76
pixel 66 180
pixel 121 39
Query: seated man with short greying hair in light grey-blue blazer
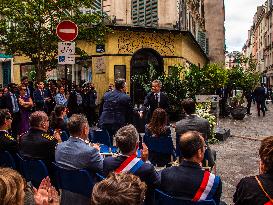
pixel 77 153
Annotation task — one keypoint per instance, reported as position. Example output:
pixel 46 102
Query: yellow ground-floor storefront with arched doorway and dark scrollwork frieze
pixel 125 43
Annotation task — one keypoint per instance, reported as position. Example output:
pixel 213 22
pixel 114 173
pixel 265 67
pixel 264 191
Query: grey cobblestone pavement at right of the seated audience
pixel 238 157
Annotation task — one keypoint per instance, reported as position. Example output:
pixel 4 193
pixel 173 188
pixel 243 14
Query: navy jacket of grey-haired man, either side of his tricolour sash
pixel 146 172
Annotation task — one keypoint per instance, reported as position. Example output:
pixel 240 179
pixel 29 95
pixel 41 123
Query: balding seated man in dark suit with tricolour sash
pixel 189 180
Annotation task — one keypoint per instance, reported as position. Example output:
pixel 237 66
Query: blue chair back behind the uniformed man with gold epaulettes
pixel 36 171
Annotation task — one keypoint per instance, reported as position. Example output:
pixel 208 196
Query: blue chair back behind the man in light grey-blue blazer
pixel 76 181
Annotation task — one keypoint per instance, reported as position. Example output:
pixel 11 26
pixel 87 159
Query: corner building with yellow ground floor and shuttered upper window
pixel 145 32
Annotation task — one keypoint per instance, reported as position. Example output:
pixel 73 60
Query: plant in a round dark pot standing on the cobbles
pixel 238 111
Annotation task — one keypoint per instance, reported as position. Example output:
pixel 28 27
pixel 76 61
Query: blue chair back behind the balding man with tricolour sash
pixel 162 198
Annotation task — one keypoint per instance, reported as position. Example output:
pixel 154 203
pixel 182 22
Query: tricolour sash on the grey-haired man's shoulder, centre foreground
pixel 131 165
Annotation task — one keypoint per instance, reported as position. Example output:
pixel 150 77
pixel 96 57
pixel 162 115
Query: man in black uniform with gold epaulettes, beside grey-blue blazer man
pixel 37 143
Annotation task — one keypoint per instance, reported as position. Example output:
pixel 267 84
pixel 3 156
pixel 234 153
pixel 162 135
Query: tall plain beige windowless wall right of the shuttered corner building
pixel 215 29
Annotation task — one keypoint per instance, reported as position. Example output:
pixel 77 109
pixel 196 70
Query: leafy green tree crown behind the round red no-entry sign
pixel 29 28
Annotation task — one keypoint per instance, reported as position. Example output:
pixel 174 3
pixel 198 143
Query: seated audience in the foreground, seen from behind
pixel 128 178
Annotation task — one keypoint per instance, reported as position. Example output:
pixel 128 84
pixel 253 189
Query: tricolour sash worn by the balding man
pixel 207 188
